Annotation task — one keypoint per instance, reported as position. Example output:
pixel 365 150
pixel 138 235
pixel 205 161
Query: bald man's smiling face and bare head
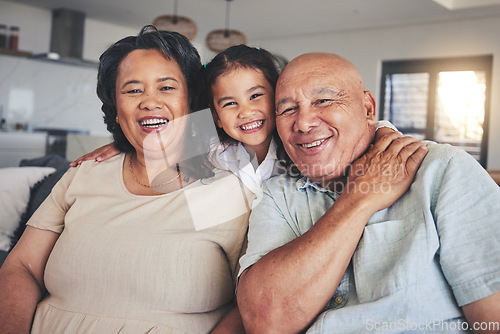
pixel 324 115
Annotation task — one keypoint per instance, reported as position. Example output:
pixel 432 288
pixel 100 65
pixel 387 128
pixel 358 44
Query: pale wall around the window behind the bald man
pixel 368 48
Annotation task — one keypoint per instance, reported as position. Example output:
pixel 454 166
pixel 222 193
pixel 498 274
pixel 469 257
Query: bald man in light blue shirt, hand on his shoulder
pixel 330 253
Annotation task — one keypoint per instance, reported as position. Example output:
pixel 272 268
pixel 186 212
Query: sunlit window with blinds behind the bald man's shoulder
pixel 445 100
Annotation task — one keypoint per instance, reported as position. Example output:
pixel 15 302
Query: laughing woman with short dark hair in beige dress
pixel 130 245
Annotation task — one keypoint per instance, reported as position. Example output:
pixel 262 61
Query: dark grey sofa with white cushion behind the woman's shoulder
pixel 22 190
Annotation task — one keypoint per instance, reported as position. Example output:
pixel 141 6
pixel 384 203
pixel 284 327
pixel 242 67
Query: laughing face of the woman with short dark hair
pixel 151 92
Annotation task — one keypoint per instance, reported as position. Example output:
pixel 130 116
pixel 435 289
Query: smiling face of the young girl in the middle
pixel 244 103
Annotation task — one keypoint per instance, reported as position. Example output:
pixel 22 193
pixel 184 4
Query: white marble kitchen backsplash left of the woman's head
pixel 43 94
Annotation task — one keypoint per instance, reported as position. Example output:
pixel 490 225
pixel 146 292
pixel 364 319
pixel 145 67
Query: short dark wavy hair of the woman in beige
pixel 173 45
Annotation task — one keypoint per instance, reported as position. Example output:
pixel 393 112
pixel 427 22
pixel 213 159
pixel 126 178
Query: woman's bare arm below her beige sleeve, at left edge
pixel 21 280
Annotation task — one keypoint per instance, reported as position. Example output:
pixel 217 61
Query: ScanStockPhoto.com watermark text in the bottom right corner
pixel 373 325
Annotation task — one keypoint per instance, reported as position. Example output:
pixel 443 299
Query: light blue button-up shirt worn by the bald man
pixel 436 249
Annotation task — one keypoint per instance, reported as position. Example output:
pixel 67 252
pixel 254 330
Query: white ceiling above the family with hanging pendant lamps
pixel 263 19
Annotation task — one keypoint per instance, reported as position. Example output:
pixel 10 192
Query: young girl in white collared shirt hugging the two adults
pixel 241 82
